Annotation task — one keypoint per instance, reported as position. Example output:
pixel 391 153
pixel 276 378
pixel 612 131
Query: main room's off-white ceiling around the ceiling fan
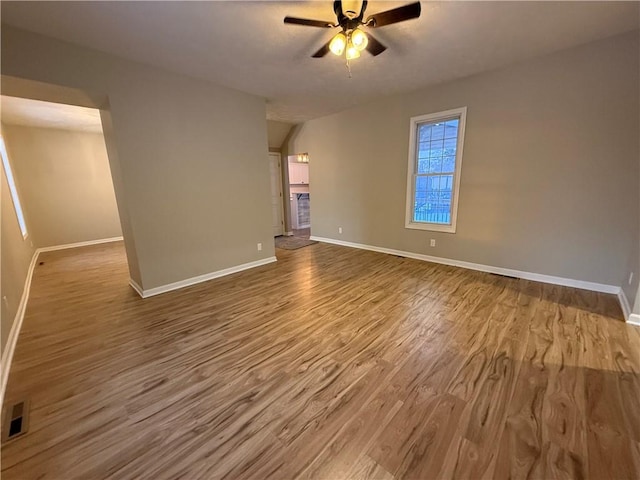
pixel 246 45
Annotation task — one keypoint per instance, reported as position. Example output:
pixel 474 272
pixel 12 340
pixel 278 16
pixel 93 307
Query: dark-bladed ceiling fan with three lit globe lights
pixel 352 39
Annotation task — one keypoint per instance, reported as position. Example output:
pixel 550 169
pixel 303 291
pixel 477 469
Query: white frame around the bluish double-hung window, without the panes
pixel 415 122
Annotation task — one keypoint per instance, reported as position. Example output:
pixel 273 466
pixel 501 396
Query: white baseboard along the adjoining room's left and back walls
pixel 7 354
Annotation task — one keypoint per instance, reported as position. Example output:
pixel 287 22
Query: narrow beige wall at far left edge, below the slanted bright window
pixel 15 257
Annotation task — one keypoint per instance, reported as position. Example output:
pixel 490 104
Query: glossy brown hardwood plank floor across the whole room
pixel 331 363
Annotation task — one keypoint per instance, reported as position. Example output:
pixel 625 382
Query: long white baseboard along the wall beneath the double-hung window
pixel 538 277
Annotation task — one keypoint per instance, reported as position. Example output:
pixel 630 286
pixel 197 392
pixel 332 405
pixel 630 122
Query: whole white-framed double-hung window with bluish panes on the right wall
pixel 433 178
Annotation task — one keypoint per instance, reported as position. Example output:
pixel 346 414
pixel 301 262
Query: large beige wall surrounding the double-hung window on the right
pixel 550 177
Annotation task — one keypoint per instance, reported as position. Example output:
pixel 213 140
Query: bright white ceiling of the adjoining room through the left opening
pixel 35 113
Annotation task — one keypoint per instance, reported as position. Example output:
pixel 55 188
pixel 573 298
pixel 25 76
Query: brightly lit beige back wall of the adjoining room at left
pixel 66 185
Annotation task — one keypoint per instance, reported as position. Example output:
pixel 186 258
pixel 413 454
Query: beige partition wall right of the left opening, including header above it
pixel 188 157
